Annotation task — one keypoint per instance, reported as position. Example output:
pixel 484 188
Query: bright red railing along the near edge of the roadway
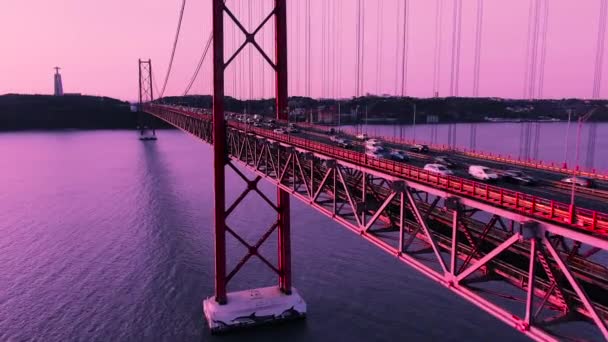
pixel 528 205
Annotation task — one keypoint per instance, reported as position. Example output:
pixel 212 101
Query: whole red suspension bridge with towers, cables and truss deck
pixel 525 255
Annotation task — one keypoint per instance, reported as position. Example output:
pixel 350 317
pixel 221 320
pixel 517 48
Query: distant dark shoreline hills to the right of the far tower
pixel 401 109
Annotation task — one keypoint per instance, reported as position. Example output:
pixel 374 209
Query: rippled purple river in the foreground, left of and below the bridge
pixel 107 238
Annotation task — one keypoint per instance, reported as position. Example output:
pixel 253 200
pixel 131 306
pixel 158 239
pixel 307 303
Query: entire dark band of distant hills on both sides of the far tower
pixel 20 112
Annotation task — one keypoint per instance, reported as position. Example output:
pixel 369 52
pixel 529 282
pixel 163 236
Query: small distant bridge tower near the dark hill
pixel 145 123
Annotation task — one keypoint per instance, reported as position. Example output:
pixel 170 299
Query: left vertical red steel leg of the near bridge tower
pixel 219 152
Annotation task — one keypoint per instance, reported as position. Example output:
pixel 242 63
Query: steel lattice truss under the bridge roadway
pixel 462 242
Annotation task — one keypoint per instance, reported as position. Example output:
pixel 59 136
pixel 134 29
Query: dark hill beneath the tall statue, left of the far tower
pixel 18 112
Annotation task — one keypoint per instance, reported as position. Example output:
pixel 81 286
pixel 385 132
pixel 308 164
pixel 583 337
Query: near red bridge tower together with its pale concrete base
pixel 225 310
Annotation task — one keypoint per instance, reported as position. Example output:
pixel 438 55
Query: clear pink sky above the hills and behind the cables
pixel 97 43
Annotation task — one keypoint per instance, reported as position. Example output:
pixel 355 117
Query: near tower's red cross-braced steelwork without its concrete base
pixel 218 132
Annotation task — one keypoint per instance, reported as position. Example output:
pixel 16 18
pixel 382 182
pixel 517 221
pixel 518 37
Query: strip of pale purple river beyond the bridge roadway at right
pixel 557 141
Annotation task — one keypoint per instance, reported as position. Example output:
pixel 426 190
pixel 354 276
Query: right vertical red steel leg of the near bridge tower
pixel 282 114
